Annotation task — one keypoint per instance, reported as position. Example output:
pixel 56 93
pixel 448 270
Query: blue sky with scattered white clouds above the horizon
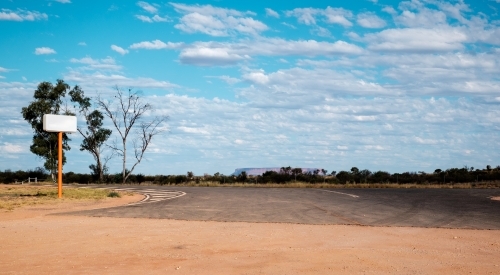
pixel 383 85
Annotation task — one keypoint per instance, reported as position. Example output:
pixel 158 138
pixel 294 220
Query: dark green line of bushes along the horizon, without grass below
pixel 285 175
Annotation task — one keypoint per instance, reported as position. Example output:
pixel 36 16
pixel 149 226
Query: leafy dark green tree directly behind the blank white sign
pixel 47 100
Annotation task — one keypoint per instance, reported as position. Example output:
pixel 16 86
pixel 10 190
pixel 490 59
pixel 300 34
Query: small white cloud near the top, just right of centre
pixel 330 15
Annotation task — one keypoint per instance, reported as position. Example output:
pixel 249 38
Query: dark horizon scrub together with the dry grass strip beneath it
pixel 292 177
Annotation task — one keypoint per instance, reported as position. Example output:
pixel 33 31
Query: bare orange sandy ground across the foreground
pixel 34 242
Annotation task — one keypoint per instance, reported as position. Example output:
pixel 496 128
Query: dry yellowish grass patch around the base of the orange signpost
pixel 12 197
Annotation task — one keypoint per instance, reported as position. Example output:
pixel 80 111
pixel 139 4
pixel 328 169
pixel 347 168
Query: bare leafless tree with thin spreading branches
pixel 127 111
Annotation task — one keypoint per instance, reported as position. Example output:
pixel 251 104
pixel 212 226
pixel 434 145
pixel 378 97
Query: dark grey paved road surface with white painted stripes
pixel 447 208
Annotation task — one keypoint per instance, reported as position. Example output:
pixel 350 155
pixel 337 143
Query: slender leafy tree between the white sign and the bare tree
pixel 94 136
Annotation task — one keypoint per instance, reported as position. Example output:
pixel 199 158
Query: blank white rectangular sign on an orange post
pixel 59 124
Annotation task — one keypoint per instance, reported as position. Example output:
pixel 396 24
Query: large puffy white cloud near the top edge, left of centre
pixel 216 21
